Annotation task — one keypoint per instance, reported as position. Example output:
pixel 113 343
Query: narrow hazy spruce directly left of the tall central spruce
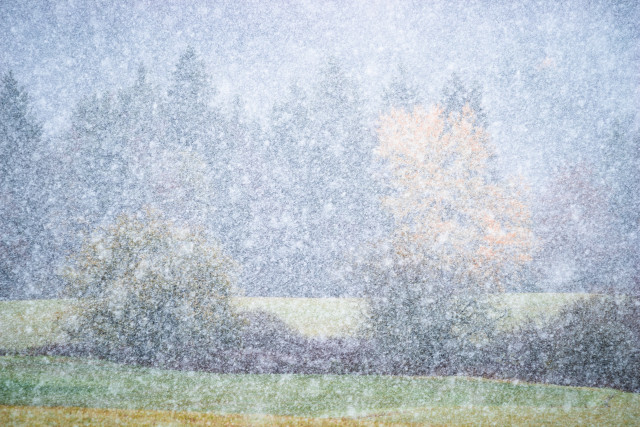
pixel 291 192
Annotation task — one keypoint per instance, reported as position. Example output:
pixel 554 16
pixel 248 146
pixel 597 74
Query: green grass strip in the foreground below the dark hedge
pixel 75 383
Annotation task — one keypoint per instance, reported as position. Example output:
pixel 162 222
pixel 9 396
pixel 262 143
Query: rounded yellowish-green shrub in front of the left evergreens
pixel 152 292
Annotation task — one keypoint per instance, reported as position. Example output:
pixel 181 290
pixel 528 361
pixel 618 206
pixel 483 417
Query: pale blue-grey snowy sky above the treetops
pixel 534 60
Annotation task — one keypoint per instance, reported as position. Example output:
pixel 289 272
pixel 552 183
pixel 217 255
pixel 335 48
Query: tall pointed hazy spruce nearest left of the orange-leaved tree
pixel 347 192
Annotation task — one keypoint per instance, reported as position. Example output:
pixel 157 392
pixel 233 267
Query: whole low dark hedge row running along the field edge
pixel 594 342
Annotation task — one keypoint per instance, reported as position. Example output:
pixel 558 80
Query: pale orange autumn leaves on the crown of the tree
pixel 450 214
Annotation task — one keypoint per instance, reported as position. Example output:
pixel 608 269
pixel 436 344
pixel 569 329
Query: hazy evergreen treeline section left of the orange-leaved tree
pixel 285 199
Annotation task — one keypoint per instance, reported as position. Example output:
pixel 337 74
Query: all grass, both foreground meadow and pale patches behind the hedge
pixel 65 391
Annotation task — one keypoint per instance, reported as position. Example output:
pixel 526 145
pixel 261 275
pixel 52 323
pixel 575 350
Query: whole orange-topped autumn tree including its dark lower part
pixel 457 233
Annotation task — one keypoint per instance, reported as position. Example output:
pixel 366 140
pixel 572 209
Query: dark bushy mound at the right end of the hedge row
pixel 593 343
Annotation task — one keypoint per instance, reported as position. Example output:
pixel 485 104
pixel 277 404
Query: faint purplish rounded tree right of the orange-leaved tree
pixel 582 242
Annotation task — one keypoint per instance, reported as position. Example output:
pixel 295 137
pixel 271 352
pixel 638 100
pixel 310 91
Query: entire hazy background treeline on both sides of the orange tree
pixel 292 196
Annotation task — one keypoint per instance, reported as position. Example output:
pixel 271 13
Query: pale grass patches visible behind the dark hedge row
pixel 32 323
